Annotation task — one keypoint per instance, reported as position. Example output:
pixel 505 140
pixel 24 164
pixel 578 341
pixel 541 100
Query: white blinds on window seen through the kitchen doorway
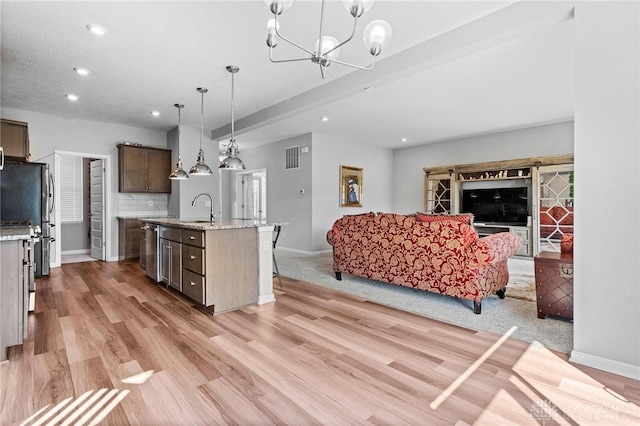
pixel 71 184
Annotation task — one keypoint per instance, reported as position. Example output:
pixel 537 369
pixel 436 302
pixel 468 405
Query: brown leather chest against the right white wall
pixel 554 284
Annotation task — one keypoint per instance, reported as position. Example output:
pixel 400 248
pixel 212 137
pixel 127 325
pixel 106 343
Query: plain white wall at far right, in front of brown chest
pixel 607 172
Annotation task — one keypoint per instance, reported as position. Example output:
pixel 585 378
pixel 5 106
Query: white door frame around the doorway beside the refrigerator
pixel 106 187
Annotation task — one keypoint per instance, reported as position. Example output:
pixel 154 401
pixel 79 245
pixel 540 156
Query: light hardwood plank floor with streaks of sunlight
pixel 108 345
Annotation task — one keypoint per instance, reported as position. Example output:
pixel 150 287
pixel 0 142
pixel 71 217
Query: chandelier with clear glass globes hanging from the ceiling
pixel 376 36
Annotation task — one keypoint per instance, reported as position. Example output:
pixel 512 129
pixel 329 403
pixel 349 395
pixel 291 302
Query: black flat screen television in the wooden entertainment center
pixel 499 206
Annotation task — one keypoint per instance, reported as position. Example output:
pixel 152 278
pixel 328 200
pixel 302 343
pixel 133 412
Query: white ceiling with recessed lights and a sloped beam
pixel 453 69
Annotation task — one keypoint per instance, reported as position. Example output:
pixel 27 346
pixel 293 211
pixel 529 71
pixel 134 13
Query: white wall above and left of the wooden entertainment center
pixel 408 176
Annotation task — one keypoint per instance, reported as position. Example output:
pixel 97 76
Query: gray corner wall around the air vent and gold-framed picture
pixel 311 213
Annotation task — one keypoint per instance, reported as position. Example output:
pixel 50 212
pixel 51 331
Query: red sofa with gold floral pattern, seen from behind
pixel 429 252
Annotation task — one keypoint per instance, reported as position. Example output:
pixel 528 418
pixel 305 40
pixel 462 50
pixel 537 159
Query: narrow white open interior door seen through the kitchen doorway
pixel 96 209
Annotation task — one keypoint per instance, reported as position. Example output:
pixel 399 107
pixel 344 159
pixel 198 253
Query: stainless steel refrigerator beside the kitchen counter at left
pixel 26 196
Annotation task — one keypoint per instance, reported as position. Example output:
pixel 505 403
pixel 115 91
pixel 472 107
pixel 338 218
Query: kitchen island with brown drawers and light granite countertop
pixel 223 264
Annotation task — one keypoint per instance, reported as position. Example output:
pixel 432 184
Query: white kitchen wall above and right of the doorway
pixel 49 133
